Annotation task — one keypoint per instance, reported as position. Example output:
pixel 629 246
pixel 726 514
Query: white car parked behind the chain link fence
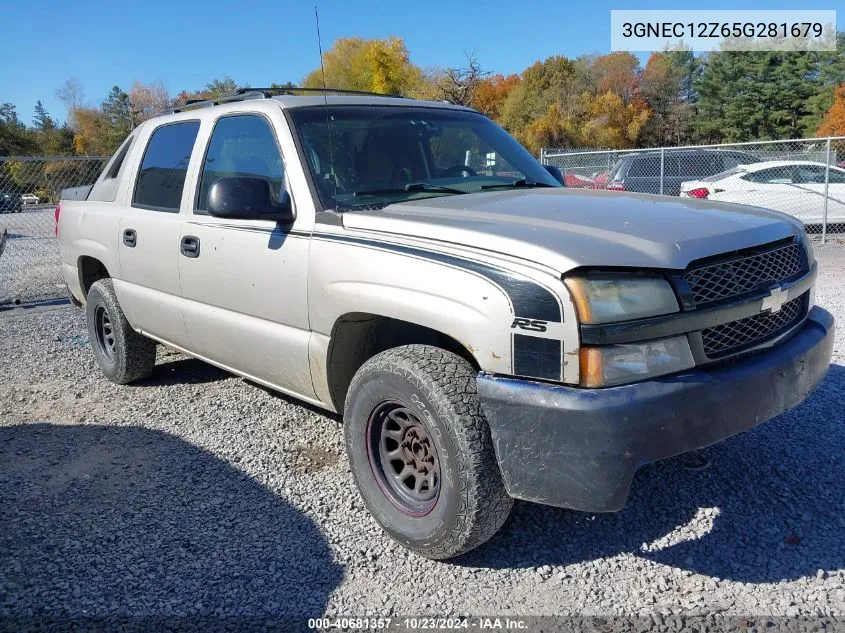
pixel 793 187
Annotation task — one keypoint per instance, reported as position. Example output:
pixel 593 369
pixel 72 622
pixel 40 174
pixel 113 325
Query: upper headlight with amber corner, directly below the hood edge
pixel 604 299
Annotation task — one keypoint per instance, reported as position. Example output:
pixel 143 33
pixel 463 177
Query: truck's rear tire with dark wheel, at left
pixel 122 354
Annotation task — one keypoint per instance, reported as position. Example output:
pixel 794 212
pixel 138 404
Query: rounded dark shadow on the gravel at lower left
pixel 104 521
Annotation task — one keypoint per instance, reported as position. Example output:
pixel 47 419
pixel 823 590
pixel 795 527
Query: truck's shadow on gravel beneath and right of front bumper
pixel 770 506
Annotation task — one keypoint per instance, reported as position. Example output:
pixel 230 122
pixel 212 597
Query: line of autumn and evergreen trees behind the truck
pixel 592 101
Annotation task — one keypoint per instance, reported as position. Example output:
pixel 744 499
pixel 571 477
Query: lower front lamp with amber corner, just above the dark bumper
pixel 616 364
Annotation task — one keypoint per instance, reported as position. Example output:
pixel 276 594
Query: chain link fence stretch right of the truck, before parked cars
pixel 804 178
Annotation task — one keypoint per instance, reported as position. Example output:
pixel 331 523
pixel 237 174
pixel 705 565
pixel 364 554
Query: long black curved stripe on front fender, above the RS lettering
pixel 529 299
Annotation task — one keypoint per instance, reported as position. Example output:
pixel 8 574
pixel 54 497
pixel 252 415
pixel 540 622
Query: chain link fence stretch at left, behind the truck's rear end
pixel 30 187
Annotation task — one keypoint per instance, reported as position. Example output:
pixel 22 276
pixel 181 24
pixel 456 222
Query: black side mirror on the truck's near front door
pixel 243 198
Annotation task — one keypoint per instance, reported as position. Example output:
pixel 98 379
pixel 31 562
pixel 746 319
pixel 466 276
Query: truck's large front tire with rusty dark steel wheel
pixel 426 397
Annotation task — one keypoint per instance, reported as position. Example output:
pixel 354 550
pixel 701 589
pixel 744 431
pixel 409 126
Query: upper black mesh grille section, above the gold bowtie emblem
pixel 743 274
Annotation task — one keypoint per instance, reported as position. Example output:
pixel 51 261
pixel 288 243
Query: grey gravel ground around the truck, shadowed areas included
pixel 196 492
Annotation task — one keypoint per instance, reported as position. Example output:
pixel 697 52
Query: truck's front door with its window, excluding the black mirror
pixel 245 284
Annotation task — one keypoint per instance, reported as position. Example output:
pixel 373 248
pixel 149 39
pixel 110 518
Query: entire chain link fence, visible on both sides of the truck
pixel 804 178
